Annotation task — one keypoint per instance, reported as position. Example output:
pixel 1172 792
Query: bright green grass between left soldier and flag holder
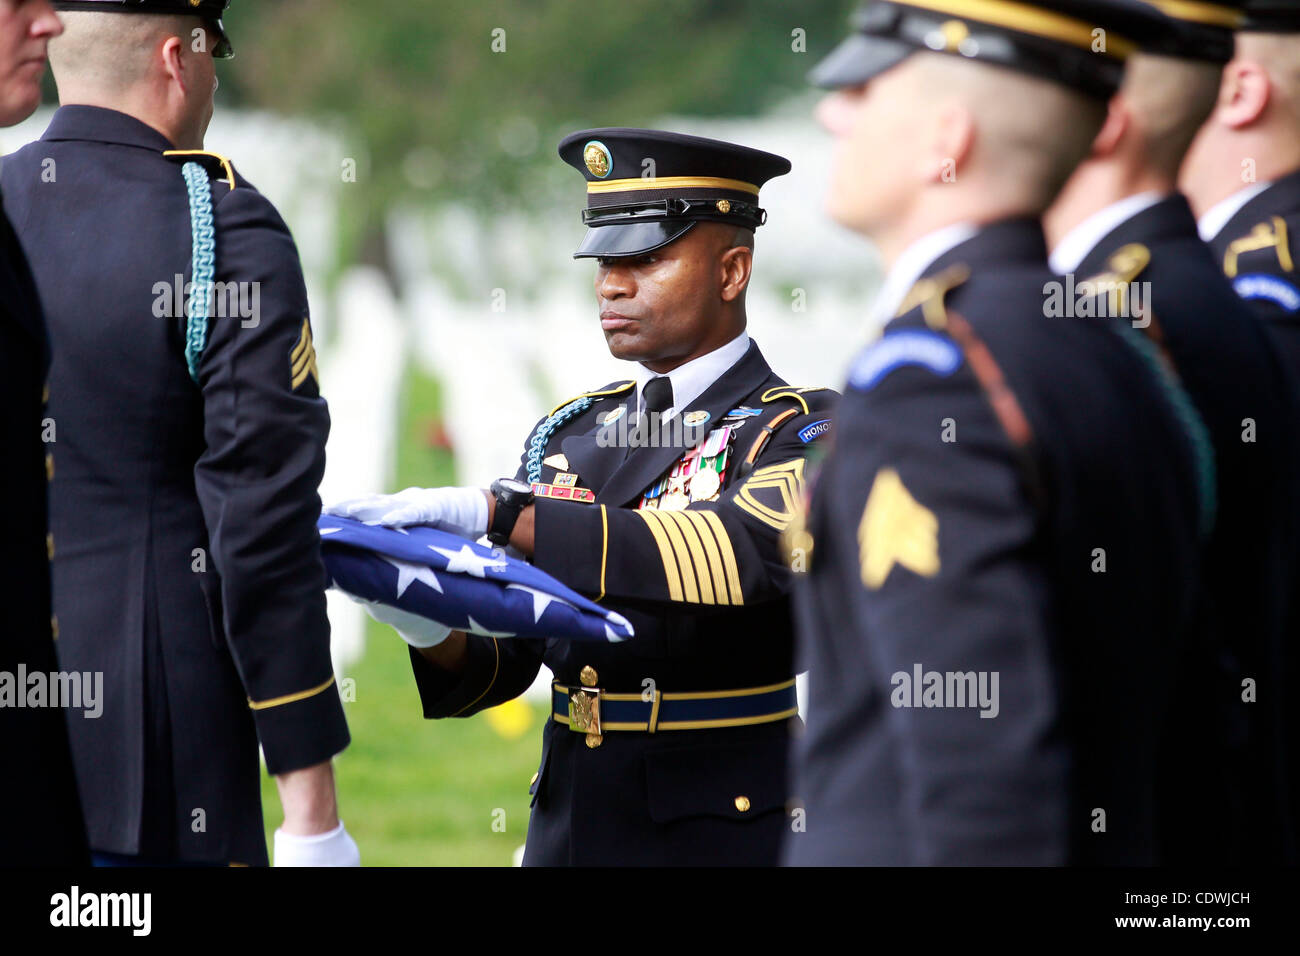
pixel 419 793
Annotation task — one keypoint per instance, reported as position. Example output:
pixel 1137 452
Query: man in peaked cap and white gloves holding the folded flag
pixel 670 749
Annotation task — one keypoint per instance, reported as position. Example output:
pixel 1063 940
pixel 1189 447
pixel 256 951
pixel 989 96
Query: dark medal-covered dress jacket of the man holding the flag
pixel 707 591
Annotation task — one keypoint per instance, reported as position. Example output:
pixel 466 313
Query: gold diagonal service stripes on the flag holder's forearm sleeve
pixel 699 560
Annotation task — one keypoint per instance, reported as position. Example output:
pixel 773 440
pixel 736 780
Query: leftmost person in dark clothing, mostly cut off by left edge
pixel 41 823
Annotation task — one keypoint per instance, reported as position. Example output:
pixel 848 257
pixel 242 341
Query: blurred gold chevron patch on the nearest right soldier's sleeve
pixel 896 530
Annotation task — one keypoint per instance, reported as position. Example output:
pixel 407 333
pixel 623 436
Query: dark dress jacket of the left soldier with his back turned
pixel 188 565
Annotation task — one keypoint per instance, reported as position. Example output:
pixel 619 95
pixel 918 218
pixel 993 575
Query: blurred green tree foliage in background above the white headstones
pixel 465 98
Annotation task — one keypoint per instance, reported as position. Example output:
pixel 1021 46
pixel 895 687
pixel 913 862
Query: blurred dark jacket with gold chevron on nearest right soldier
pixel 1008 496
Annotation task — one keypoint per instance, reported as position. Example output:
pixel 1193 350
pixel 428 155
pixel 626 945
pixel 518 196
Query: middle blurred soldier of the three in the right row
pixel 1120 223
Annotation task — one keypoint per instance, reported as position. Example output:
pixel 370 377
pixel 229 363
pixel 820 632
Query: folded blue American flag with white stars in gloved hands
pixel 461 585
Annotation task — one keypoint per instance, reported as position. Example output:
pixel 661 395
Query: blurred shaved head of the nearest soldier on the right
pixel 941 140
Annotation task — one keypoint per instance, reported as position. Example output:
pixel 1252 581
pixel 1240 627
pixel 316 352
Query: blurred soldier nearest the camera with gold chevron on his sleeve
pixel 1006 534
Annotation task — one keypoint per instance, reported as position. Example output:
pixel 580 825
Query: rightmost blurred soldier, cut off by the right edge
pixel 1243 171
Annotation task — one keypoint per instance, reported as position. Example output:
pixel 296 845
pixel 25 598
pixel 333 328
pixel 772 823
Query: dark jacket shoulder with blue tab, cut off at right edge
pixel 1258 252
